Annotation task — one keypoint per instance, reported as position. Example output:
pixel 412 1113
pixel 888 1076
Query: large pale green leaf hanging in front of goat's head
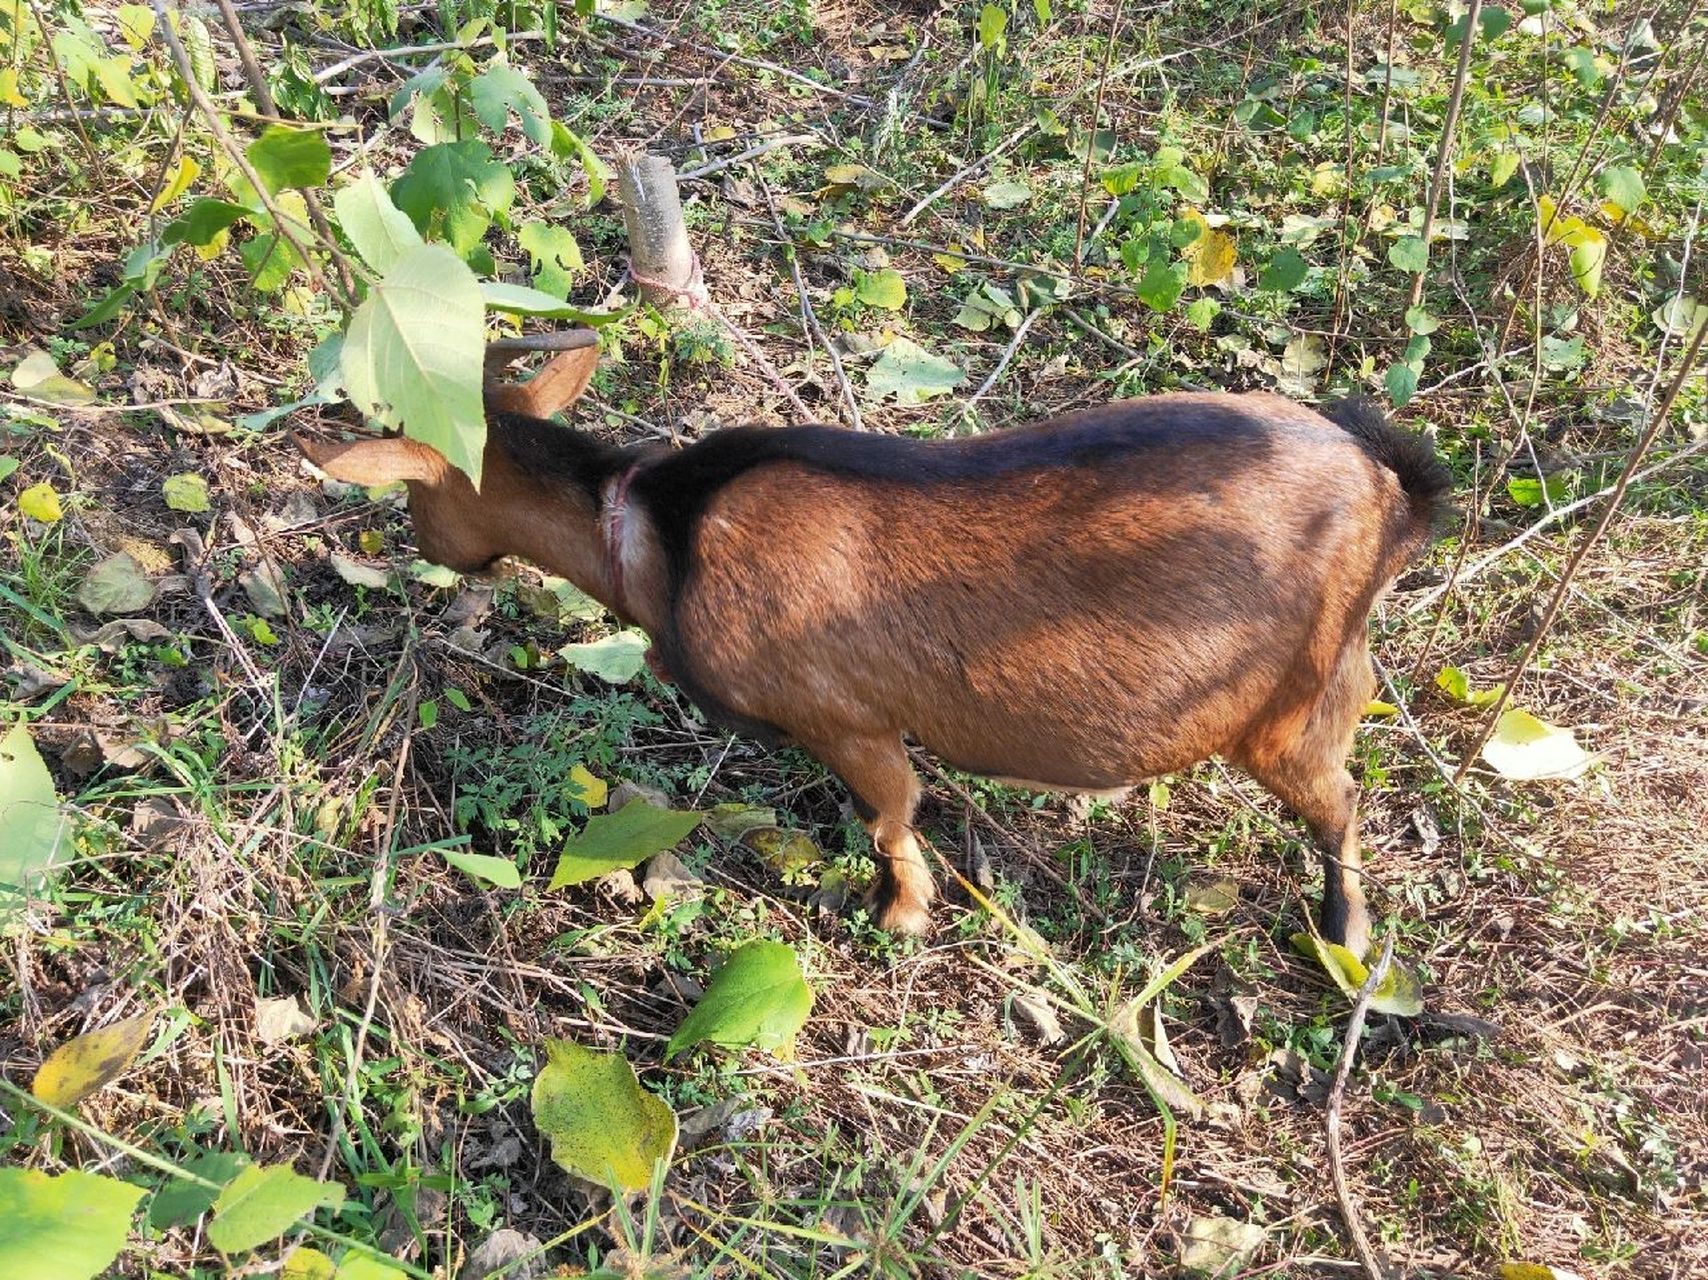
pixel 414 355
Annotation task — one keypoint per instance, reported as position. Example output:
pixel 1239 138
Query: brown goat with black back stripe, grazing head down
pixel 1079 604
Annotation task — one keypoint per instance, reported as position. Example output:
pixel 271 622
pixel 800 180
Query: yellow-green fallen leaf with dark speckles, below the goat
pixel 602 1124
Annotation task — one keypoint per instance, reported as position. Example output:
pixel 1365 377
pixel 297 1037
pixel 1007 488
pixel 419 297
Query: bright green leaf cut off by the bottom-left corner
pixel 62 1228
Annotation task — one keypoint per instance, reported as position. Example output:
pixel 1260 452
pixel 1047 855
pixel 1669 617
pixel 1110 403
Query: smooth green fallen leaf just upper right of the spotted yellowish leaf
pixel 759 997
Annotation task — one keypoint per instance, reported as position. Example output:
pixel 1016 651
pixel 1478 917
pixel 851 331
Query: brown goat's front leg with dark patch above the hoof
pixel 886 794
